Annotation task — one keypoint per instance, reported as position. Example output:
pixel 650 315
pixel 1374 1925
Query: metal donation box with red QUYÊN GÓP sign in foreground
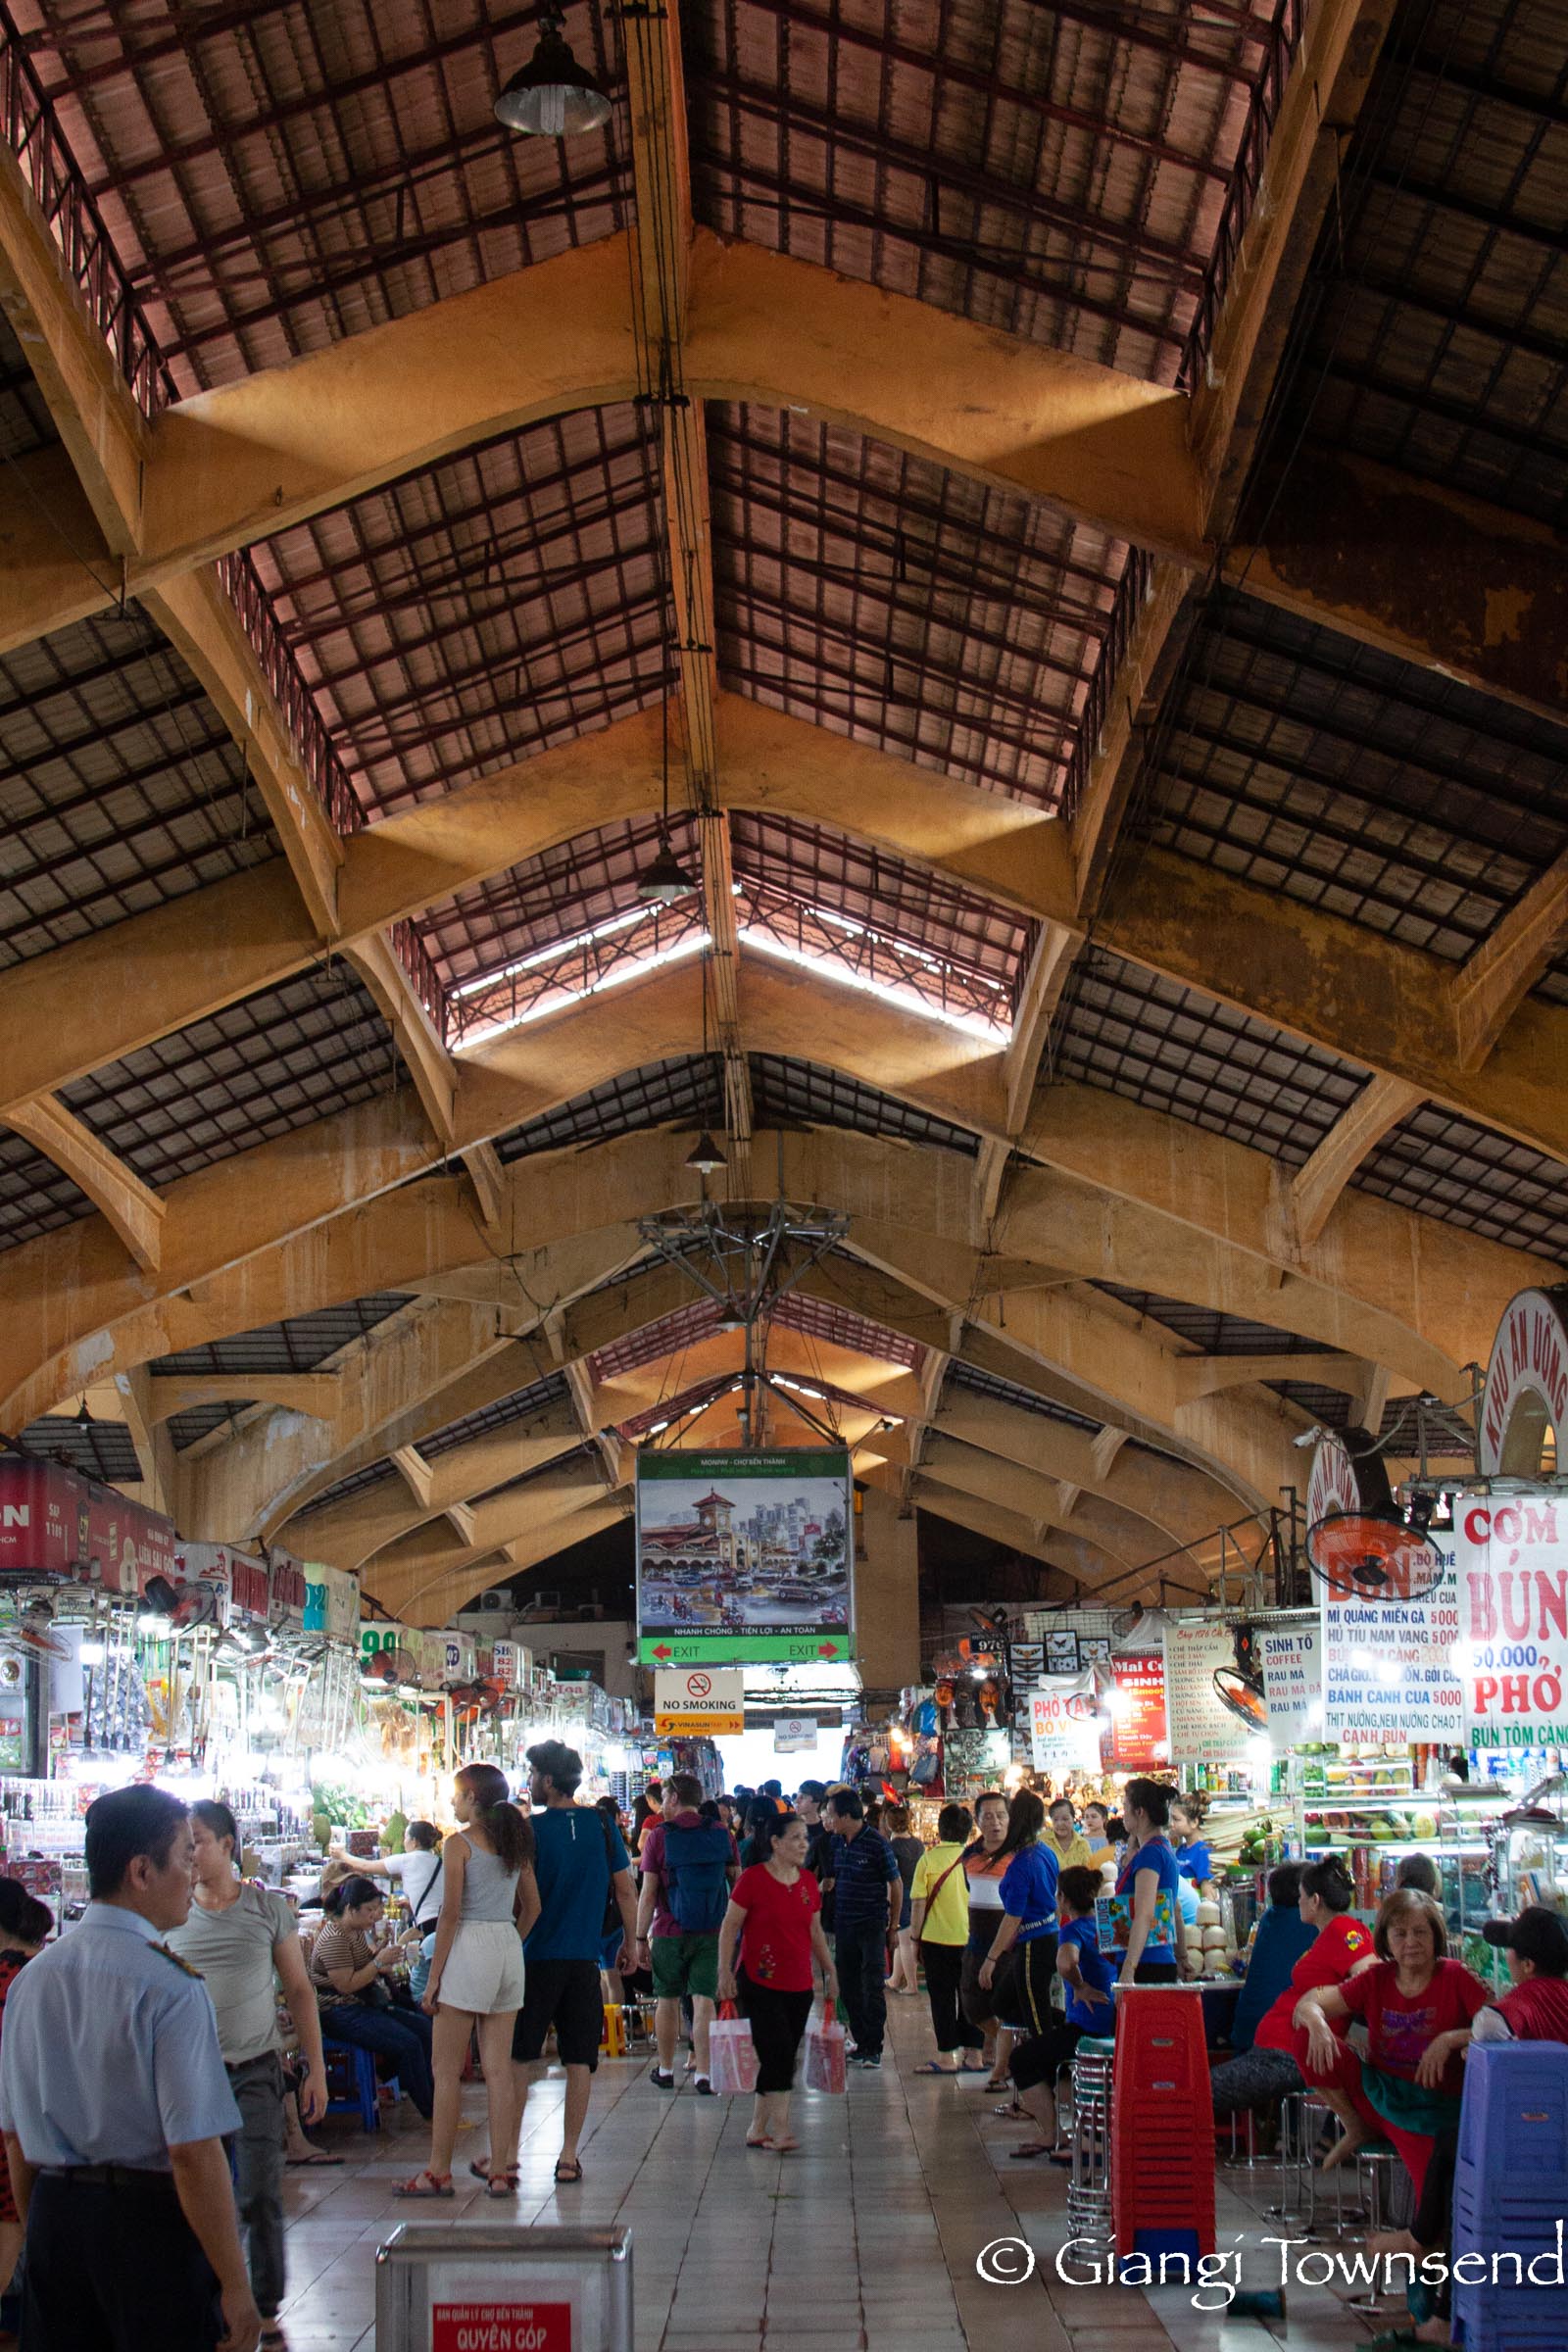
pixel 507 2290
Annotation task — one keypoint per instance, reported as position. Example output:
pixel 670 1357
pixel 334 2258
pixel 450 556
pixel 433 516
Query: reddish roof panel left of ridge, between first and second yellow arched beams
pixel 483 608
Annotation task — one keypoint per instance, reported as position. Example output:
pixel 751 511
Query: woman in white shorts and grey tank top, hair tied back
pixel 476 1975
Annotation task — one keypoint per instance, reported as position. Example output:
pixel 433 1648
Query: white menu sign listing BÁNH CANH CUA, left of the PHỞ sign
pixel 1391 1669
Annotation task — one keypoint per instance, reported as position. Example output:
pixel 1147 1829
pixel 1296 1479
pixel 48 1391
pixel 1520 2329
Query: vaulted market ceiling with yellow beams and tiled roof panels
pixel 1052 512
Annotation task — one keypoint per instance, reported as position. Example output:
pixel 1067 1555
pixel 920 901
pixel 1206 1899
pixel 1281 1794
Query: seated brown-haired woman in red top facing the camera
pixel 1419 2007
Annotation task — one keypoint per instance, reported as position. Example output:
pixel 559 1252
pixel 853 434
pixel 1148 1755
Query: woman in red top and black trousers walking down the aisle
pixel 775 1916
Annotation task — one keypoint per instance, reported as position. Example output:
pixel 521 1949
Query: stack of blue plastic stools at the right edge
pixel 1510 2191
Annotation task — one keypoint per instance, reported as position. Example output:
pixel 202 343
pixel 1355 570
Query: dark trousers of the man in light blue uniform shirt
pixel 116 2271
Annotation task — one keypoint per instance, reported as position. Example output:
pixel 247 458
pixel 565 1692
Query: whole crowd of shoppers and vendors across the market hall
pixel 142 2083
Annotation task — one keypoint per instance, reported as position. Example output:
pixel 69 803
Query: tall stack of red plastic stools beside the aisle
pixel 1162 2125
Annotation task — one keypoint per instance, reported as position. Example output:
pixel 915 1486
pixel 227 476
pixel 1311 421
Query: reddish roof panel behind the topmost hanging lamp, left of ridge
pixel 279 178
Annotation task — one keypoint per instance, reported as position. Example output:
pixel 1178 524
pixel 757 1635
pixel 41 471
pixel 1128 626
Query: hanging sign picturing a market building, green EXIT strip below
pixel 744 1558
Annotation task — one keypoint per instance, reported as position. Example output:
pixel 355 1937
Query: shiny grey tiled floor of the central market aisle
pixel 862 2243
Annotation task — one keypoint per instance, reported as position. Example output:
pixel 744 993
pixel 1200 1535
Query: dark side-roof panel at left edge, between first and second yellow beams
pixel 119 784
